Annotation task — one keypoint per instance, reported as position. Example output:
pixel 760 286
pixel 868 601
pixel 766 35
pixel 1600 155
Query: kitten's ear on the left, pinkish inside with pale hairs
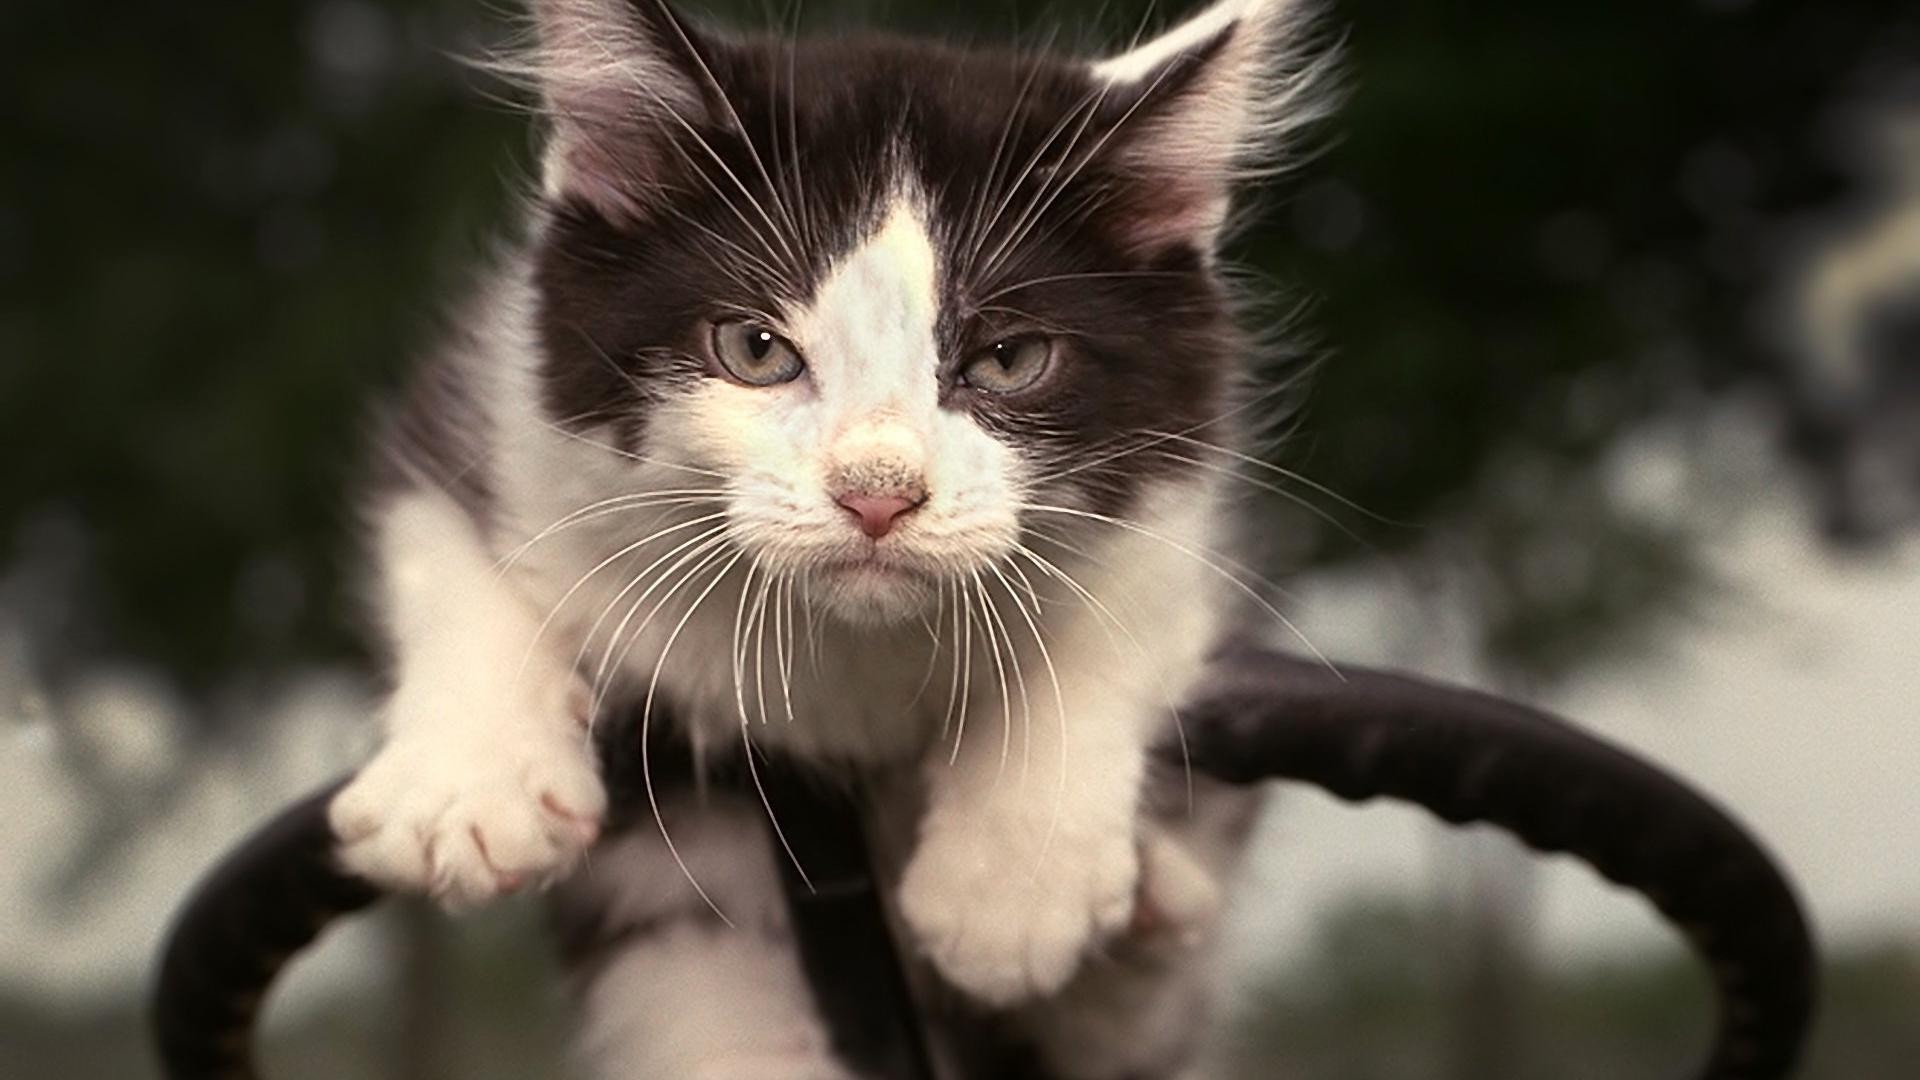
pixel 619 84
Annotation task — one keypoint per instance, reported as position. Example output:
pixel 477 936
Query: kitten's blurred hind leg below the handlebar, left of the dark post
pixel 669 991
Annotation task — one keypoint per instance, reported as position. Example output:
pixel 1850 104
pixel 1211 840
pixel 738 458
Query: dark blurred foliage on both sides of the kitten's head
pixel 224 232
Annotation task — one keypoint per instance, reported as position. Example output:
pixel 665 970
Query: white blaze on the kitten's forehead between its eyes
pixel 869 331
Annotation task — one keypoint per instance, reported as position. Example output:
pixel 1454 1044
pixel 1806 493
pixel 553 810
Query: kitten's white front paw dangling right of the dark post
pixel 1007 921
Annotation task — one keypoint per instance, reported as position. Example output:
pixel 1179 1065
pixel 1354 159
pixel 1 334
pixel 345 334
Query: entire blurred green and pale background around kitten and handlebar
pixel 1618 320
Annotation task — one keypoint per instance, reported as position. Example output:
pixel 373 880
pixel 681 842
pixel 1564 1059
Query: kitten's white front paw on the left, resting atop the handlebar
pixel 471 818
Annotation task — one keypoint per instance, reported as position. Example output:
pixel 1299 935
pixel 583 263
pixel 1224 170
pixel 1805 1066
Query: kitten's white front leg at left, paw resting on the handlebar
pixel 489 779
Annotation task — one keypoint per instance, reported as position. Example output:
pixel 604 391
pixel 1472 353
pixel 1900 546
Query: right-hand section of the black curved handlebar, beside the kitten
pixel 1476 758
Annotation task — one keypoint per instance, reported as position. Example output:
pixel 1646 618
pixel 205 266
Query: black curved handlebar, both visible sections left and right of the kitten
pixel 1262 716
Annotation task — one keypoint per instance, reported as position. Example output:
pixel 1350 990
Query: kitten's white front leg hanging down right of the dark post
pixel 1028 860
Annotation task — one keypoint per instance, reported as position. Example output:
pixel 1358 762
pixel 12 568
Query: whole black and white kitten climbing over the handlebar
pixel 863 401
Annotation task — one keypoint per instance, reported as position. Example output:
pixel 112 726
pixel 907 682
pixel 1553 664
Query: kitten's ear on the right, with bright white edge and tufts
pixel 1212 105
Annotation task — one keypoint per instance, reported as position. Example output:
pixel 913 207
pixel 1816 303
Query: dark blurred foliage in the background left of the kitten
pixel 228 228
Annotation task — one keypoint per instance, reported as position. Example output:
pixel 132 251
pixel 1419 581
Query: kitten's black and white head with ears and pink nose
pixel 905 305
